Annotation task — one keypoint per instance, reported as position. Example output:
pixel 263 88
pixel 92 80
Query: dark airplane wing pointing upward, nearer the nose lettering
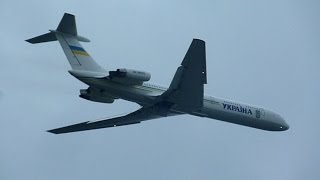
pixel 187 86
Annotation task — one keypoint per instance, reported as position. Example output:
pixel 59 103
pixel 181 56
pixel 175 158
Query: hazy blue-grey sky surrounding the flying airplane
pixel 259 52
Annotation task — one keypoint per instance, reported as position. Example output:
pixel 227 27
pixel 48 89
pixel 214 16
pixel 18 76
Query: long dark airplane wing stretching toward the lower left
pixel 136 117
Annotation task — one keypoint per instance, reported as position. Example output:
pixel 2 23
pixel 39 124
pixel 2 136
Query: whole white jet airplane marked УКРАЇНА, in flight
pixel 185 94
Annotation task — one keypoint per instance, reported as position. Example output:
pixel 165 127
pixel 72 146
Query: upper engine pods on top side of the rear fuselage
pixel 129 76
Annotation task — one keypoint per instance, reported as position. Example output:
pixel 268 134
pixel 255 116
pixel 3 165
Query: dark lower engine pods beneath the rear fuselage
pixel 96 96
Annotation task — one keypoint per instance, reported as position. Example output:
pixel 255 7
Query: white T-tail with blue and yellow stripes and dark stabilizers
pixel 66 34
